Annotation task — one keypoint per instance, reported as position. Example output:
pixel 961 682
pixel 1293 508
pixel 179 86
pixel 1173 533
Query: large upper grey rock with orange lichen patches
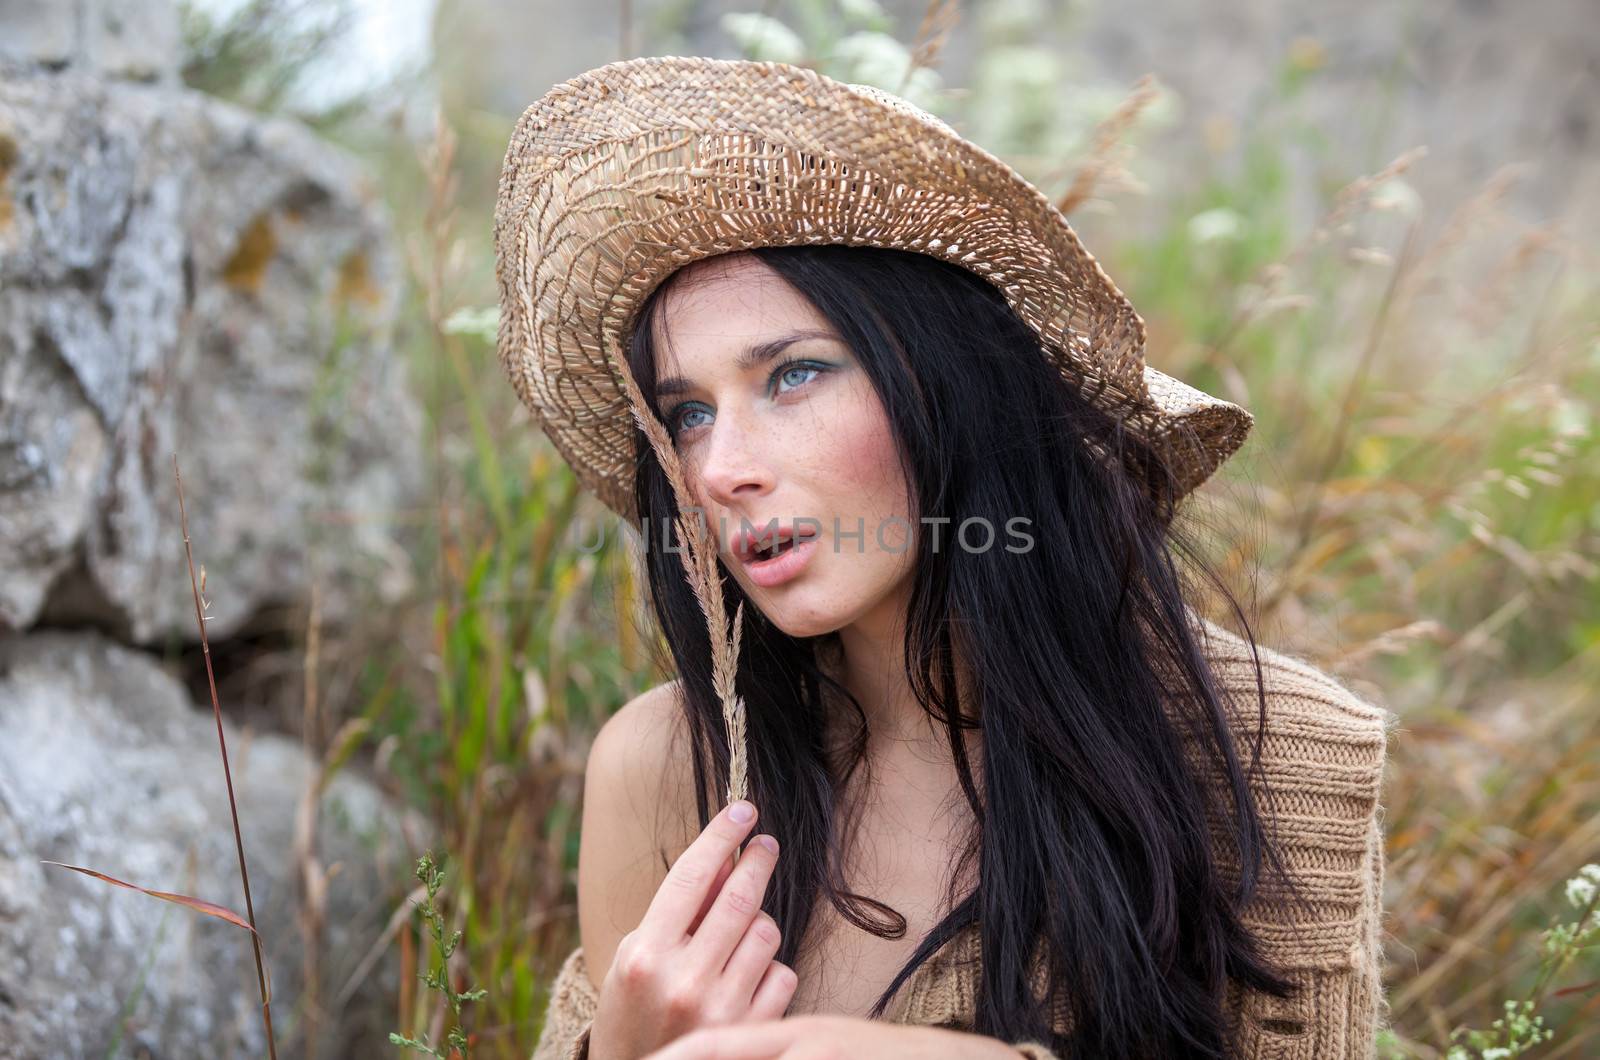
pixel 204 283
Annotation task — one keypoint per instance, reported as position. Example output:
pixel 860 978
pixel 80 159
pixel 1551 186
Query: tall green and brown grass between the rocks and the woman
pixel 484 694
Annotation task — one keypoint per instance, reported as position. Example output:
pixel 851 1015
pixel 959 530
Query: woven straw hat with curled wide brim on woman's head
pixel 623 175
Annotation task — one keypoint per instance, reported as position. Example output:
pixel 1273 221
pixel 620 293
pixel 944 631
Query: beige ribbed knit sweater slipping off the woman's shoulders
pixel 1322 761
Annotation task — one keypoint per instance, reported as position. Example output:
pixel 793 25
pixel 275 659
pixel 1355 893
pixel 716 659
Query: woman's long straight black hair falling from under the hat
pixel 1090 825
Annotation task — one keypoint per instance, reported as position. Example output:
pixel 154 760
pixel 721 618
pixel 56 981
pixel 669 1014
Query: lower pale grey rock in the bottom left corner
pixel 106 765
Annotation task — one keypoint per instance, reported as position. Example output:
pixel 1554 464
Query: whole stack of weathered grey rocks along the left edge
pixel 183 278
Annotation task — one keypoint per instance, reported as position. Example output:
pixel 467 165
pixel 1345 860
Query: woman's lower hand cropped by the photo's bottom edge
pixel 834 1038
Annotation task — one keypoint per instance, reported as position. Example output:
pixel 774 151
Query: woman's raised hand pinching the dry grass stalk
pixel 703 954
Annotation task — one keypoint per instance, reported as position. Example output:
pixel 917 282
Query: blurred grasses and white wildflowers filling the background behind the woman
pixel 1418 508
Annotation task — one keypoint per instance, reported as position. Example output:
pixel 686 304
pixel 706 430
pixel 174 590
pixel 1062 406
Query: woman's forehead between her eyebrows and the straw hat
pixel 724 303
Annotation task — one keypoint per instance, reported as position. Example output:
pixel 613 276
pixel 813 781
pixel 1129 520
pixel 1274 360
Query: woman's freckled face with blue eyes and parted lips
pixel 775 420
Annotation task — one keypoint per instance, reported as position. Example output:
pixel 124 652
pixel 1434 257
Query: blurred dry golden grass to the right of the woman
pixel 1426 529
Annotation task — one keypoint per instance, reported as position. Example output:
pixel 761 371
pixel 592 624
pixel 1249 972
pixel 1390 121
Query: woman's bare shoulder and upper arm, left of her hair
pixel 639 816
